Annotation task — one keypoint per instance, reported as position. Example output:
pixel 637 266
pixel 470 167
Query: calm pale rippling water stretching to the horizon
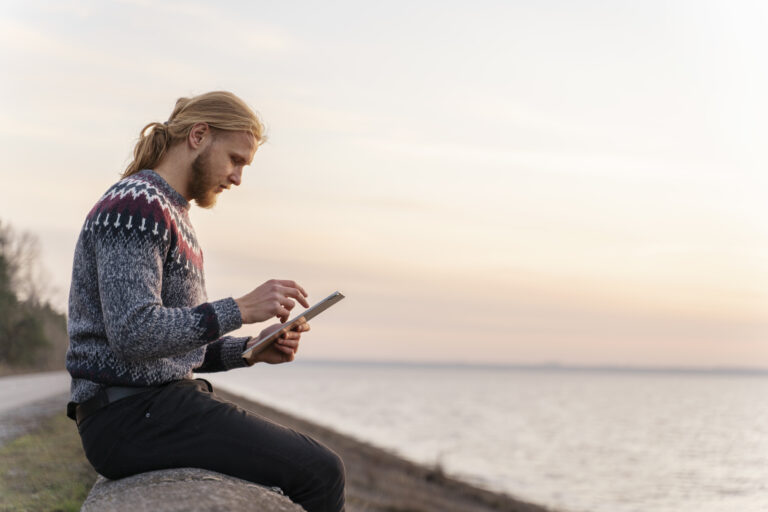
pixel 577 441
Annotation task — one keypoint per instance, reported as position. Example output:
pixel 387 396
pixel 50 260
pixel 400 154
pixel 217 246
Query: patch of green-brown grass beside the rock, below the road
pixel 45 470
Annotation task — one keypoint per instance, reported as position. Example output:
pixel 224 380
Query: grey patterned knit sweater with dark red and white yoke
pixel 138 312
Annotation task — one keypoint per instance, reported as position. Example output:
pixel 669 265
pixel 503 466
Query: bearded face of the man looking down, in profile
pixel 220 165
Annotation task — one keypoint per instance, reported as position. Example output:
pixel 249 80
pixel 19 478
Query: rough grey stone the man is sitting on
pixel 185 489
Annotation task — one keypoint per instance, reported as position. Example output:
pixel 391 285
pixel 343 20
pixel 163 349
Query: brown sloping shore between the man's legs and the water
pixel 378 481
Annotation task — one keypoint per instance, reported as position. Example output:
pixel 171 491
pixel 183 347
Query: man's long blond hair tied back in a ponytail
pixel 221 110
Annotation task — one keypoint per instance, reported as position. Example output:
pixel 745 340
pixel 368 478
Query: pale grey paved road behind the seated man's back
pixel 26 400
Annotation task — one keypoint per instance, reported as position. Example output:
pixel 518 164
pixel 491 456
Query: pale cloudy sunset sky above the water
pixel 576 182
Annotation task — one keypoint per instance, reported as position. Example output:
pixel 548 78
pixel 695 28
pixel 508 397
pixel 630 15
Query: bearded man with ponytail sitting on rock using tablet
pixel 140 322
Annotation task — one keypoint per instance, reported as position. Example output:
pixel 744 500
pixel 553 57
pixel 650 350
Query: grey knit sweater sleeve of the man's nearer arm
pixel 130 271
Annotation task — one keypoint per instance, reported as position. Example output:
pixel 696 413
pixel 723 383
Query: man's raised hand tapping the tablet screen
pixel 273 298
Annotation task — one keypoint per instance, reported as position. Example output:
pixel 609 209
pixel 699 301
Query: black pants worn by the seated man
pixel 183 424
